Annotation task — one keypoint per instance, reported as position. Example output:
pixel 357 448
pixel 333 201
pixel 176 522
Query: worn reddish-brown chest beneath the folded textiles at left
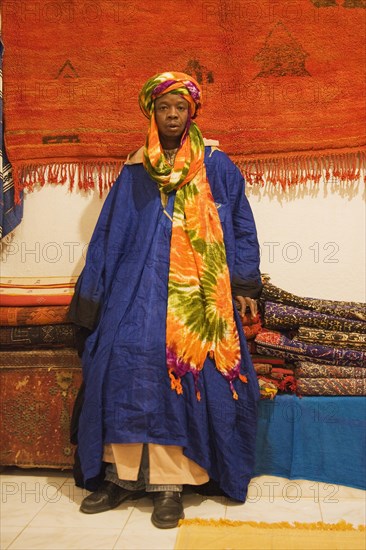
pixel 37 392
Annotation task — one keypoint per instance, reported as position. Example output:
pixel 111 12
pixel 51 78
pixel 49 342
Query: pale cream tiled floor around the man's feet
pixel 40 509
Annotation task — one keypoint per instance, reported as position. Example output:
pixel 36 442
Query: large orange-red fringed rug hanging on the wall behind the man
pixel 283 84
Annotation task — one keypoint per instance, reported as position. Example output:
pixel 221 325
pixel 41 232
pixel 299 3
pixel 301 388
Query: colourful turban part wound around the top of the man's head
pixel 165 83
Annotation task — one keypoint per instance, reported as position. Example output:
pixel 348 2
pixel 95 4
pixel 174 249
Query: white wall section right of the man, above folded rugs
pixel 313 239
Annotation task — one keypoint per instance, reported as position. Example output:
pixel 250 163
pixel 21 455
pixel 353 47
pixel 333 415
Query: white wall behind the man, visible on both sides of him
pixel 312 238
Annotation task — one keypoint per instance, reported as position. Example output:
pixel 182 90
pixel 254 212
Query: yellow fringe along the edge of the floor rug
pixel 319 525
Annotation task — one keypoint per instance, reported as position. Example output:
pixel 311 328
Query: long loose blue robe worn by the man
pixel 128 398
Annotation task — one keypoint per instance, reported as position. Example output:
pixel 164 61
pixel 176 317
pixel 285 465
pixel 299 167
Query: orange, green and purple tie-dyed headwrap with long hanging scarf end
pixel 200 317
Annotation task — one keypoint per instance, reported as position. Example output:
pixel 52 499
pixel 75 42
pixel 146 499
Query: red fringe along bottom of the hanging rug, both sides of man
pixel 284 170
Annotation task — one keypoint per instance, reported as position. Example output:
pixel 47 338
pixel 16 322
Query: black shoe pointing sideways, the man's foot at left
pixel 108 496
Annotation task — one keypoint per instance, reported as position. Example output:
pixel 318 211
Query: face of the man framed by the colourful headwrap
pixel 171 114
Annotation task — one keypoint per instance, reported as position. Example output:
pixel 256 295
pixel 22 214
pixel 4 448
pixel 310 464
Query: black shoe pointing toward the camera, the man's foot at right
pixel 168 509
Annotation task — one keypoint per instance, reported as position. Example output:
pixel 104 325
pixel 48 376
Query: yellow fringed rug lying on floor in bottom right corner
pixel 201 534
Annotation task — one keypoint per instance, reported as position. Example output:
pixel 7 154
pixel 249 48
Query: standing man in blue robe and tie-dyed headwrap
pixel 170 391
